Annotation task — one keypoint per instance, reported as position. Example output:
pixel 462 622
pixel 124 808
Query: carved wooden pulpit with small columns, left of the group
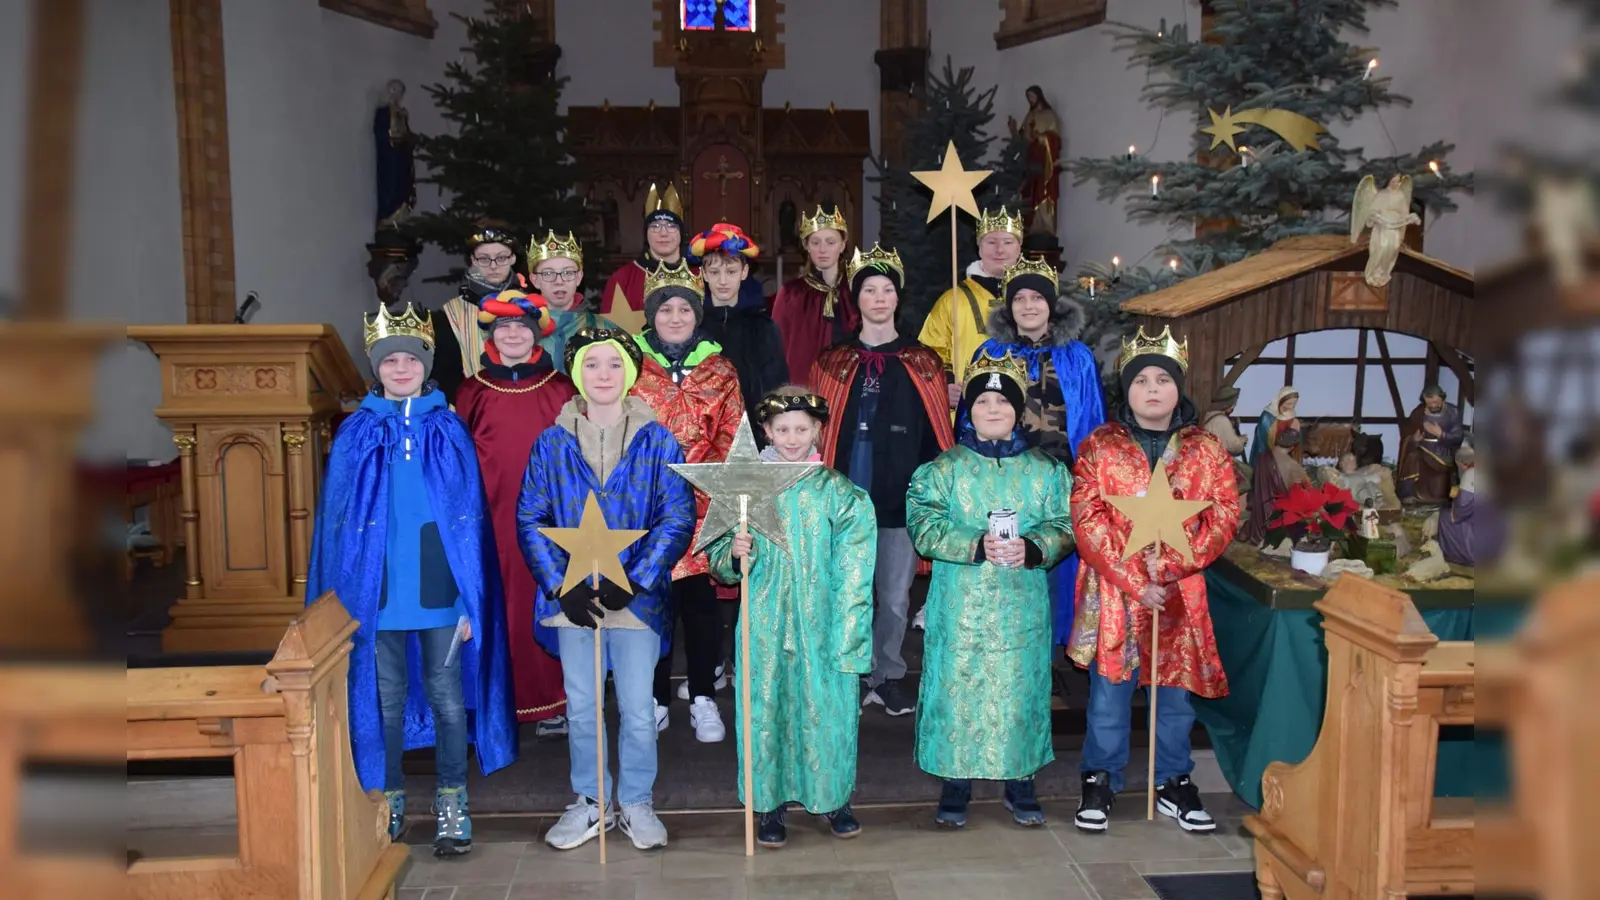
pixel 252 409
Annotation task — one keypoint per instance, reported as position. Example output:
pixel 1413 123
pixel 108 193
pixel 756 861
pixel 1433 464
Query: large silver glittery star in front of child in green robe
pixel 746 475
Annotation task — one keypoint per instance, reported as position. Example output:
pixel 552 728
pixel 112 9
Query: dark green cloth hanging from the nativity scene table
pixel 1278 673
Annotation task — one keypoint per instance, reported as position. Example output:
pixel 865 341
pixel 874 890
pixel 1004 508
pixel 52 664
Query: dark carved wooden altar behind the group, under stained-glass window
pixel 729 158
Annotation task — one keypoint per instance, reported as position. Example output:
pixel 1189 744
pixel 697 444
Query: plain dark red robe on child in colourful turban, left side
pixel 505 417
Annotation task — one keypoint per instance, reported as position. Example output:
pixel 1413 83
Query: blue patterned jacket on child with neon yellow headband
pixel 642 492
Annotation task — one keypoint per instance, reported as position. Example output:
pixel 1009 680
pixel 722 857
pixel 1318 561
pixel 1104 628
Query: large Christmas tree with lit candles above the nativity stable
pixel 1260 55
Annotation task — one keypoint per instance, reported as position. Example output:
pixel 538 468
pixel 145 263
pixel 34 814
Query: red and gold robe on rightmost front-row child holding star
pixel 1111 629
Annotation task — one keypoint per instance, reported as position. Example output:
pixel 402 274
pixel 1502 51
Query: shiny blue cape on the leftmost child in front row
pixel 348 558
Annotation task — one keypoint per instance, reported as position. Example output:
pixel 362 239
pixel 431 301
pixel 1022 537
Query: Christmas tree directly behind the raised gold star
pixel 951 111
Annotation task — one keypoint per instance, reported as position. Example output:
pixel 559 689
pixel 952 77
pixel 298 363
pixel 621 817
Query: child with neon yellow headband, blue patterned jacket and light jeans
pixel 607 449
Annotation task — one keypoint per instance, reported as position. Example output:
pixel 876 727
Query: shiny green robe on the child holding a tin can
pixel 985 701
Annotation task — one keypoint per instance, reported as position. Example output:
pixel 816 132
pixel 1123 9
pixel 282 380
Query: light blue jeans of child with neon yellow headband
pixel 633 654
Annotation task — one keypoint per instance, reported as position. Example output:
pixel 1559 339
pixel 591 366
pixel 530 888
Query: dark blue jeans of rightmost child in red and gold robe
pixel 1111 713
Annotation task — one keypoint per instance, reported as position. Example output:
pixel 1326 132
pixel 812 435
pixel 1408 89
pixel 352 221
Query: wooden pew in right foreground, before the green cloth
pixel 1358 819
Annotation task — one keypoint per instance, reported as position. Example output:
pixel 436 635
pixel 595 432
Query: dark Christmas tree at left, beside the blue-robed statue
pixel 505 159
